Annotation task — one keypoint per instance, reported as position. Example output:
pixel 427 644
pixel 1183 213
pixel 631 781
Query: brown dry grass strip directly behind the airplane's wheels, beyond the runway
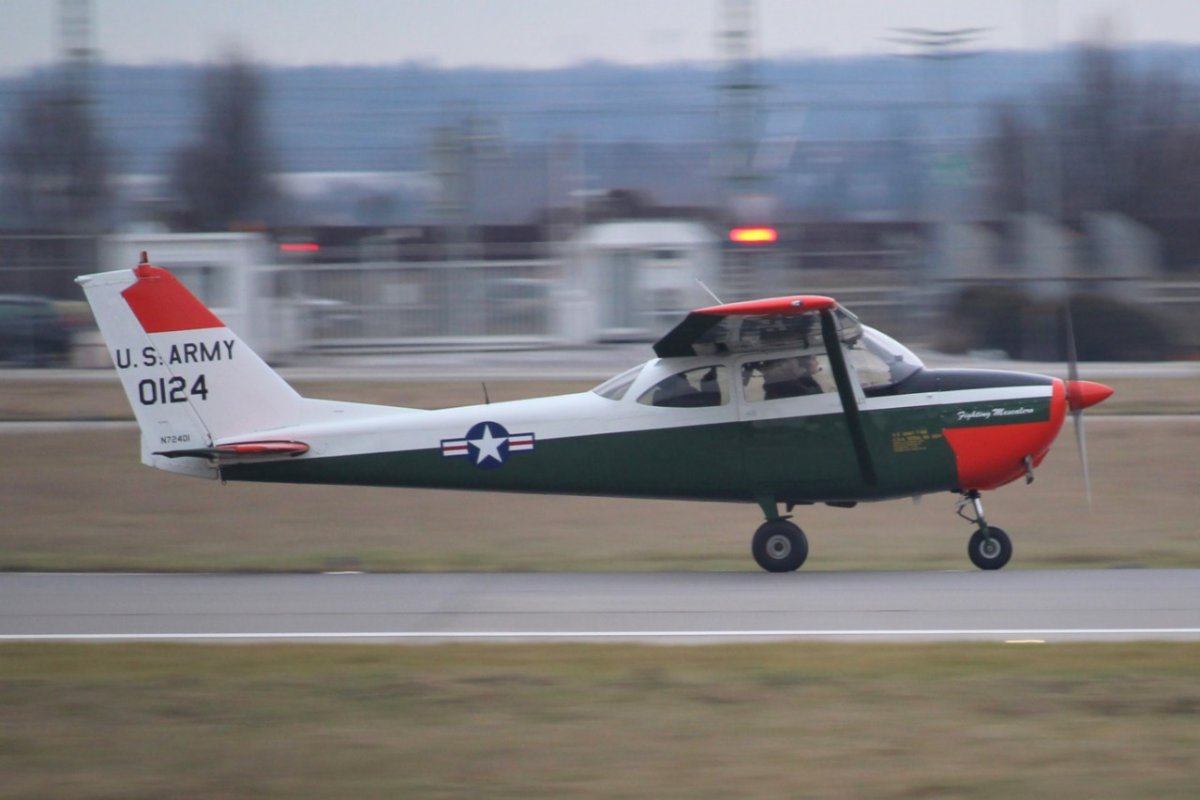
pixel 83 502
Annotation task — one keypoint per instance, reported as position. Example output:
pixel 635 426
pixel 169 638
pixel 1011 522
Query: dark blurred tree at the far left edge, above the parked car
pixel 56 164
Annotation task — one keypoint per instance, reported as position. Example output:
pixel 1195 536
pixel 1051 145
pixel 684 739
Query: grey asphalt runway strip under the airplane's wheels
pixel 1096 605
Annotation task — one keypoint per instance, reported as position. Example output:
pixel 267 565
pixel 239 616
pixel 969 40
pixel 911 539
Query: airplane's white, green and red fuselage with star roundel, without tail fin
pixel 934 431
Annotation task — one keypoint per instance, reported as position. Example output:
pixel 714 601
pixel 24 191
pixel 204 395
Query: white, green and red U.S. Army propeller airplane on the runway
pixel 779 402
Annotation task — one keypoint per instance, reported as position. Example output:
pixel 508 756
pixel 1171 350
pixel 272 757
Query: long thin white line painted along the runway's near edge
pixel 602 635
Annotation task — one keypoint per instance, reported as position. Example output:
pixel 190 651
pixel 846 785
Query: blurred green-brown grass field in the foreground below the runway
pixel 583 721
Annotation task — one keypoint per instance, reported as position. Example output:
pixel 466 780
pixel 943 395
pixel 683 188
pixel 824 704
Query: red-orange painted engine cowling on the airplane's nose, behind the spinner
pixel 991 456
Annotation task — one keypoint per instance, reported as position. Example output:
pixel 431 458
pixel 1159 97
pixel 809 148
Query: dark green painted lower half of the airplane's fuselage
pixel 793 459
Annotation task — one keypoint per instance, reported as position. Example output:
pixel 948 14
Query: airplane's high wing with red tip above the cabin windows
pixel 791 322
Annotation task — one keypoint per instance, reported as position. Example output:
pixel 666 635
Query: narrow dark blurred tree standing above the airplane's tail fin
pixel 223 179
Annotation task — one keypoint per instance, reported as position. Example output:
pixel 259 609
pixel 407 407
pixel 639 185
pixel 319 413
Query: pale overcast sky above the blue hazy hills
pixel 539 34
